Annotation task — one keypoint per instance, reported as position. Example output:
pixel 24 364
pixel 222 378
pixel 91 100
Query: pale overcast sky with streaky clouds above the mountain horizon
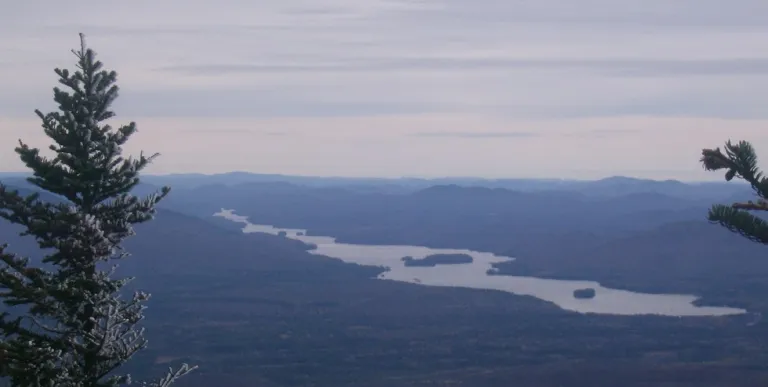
pixel 487 88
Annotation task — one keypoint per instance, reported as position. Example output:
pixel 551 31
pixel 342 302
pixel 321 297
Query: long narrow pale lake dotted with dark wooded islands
pixel 474 275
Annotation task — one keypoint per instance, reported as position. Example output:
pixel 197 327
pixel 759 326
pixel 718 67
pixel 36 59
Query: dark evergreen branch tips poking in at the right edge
pixel 740 160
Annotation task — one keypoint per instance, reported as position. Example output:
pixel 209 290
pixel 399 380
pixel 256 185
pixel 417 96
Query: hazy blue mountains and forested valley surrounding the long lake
pixel 258 309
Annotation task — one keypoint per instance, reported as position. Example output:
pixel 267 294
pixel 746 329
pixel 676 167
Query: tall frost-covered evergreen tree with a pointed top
pixel 70 326
